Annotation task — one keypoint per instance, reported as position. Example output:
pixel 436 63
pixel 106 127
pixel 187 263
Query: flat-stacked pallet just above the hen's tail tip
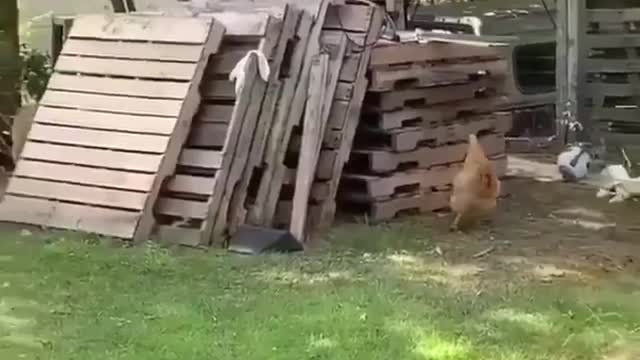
pixel 409 139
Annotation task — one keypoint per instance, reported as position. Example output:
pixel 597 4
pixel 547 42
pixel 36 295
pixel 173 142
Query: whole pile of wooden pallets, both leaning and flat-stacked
pixel 262 112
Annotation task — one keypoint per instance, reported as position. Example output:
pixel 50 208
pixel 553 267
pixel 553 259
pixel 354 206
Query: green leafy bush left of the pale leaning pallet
pixel 36 70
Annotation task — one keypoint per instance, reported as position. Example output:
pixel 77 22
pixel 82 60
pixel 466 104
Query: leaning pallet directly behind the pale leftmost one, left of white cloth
pixel 194 198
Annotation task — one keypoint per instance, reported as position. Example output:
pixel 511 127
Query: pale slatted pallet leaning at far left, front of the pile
pixel 111 124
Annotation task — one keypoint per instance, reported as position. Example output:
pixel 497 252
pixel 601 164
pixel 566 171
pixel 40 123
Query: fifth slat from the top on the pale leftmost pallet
pixel 114 104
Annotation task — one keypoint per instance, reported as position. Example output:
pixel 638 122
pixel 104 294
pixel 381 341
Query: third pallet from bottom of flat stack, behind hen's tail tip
pixel 383 161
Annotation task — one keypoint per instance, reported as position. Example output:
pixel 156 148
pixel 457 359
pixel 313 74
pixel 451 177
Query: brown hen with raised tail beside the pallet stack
pixel 475 187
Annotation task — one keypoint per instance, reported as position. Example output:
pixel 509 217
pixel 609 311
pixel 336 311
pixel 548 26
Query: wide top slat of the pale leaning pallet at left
pixel 162 29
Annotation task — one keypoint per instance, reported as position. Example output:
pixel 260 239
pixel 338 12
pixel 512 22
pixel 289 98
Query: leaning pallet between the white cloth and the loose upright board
pixel 247 201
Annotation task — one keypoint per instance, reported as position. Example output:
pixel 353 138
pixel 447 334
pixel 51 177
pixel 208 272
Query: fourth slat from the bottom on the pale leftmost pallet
pixel 107 159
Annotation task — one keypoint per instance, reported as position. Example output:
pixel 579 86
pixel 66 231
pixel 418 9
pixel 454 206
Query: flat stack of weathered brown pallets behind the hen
pixel 422 103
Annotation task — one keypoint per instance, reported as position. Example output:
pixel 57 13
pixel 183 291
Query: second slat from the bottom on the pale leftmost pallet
pixel 43 189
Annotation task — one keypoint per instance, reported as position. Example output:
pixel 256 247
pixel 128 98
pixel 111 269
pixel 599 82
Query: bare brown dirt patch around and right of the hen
pixel 554 228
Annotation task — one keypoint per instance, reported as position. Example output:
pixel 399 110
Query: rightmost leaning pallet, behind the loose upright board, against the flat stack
pixel 361 25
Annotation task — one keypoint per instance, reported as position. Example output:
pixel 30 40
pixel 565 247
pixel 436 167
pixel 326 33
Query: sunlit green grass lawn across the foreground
pixel 73 299
